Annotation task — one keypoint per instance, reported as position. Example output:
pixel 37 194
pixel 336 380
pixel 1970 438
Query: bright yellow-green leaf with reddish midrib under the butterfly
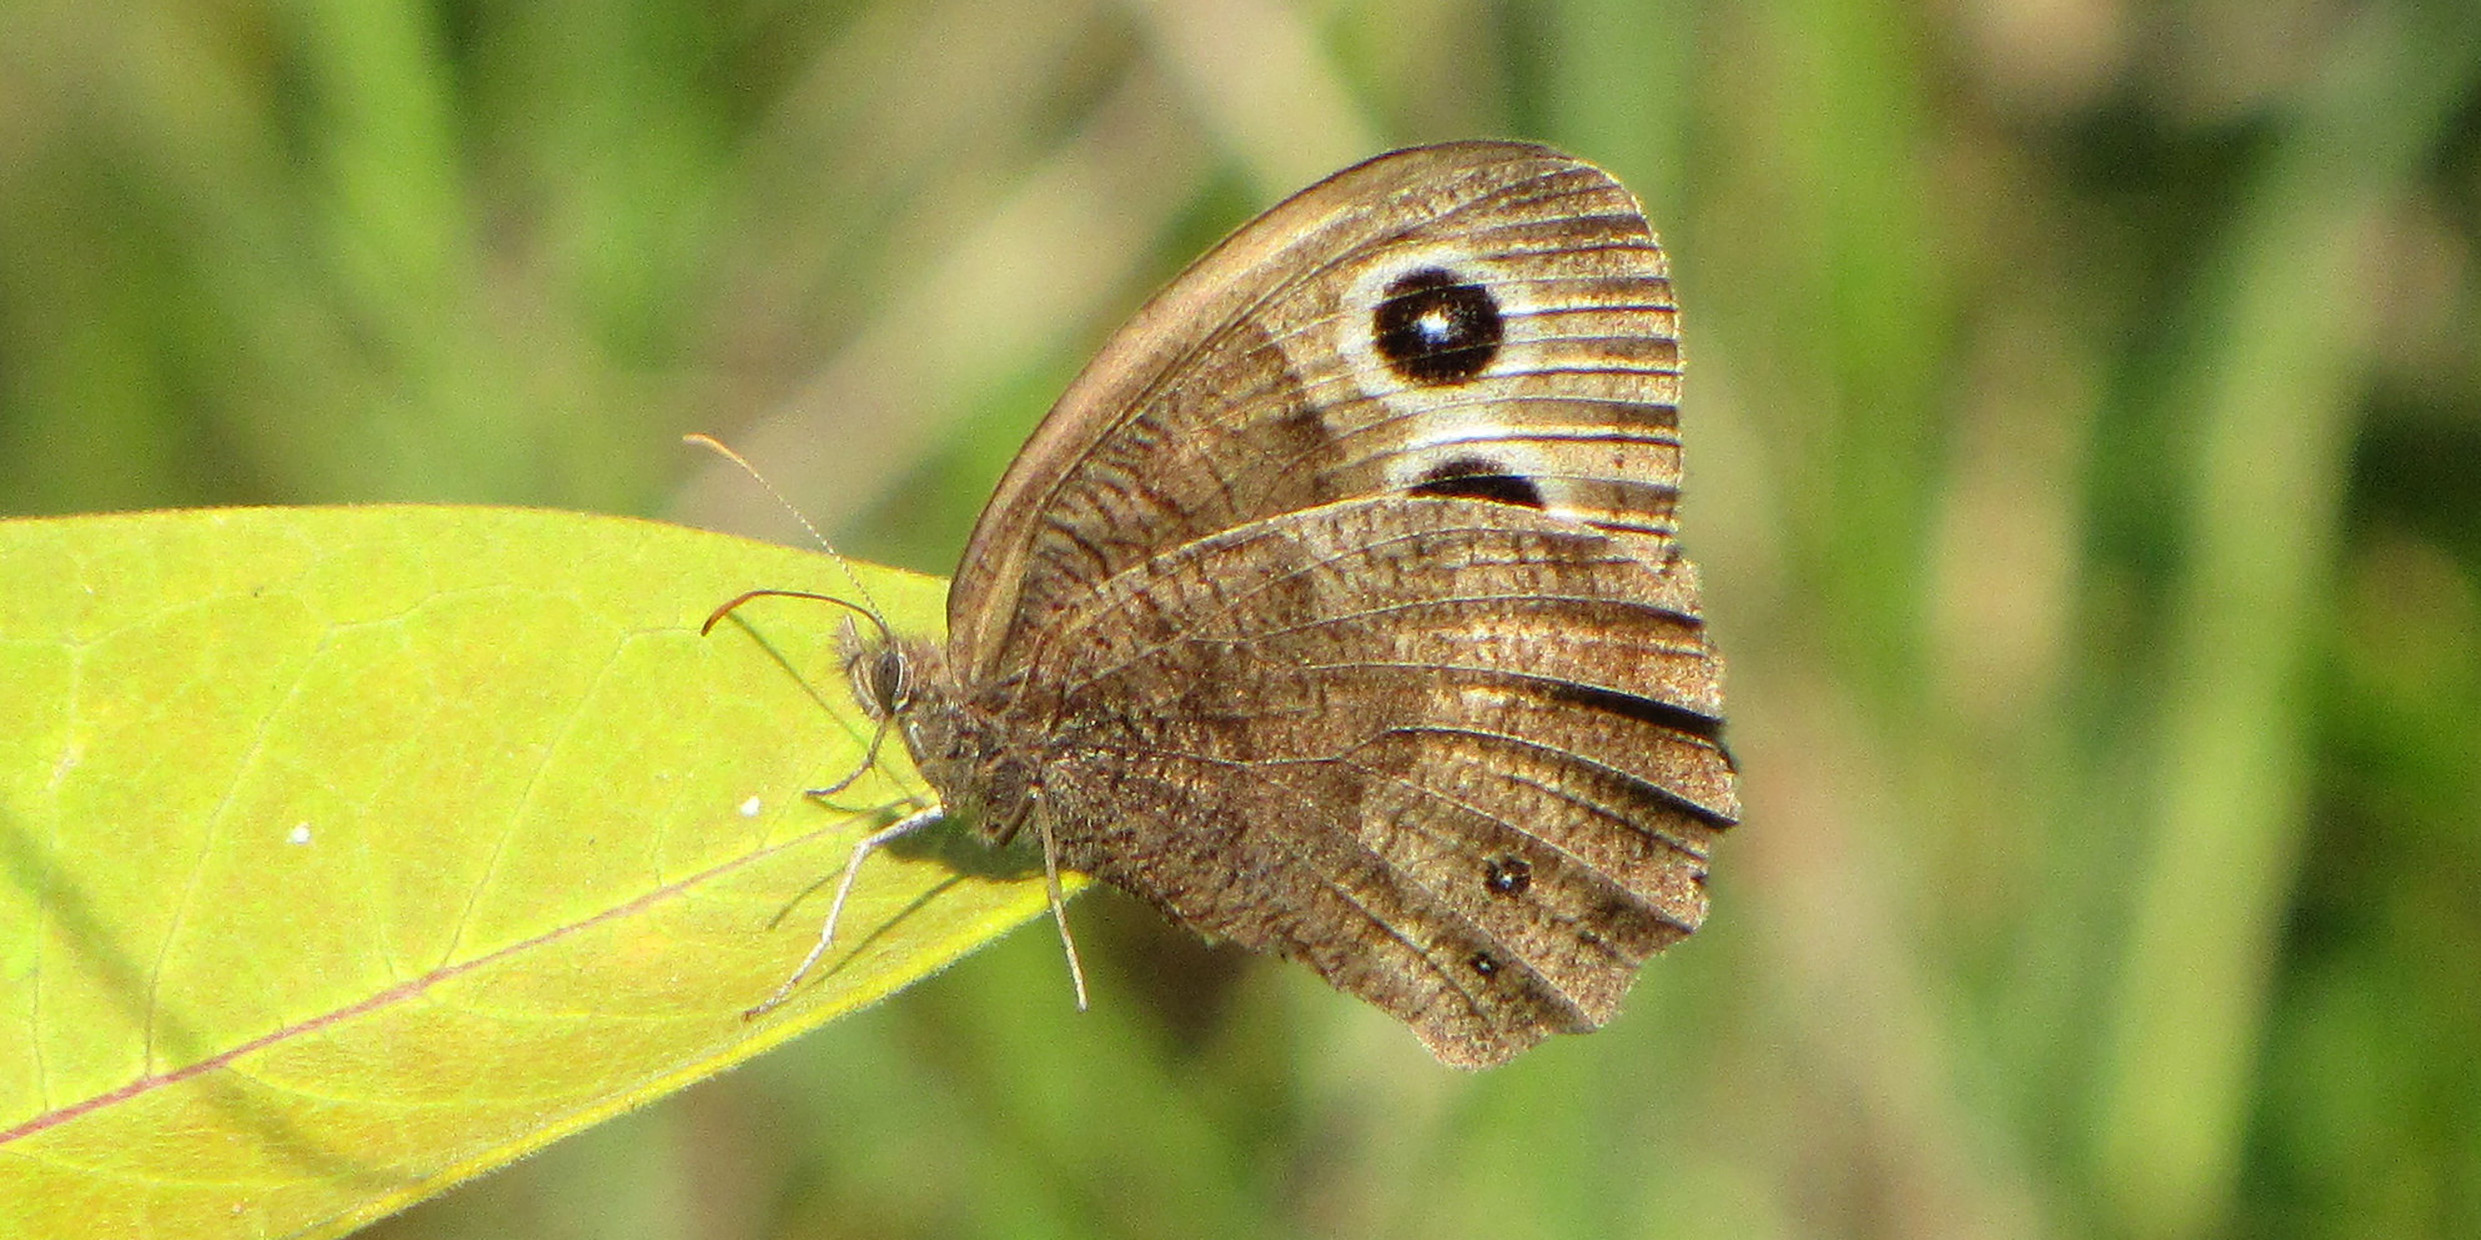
pixel 356 852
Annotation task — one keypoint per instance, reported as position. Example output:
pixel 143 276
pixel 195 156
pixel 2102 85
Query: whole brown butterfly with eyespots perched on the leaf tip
pixel 1338 611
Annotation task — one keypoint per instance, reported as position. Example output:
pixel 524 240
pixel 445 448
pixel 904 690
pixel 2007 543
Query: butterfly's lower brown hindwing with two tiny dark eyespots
pixel 1453 758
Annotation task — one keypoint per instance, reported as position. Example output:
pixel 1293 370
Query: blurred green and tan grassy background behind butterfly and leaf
pixel 2085 453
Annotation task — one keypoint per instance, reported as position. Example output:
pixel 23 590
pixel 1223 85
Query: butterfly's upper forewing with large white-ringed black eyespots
pixel 1257 383
